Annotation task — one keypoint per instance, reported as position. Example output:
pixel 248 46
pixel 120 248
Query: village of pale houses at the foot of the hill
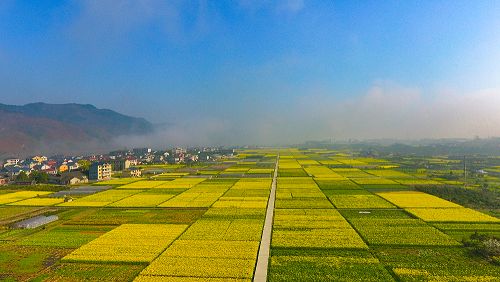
pixel 73 170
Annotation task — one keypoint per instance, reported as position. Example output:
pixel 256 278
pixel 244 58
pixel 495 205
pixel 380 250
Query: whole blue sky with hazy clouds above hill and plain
pixel 262 71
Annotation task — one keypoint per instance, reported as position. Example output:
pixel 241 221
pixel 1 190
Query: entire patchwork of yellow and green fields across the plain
pixel 337 217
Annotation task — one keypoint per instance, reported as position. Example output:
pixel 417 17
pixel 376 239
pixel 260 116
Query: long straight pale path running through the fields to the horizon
pixel 265 242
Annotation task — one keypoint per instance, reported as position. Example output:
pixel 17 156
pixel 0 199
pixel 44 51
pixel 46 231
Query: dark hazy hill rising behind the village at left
pixel 63 128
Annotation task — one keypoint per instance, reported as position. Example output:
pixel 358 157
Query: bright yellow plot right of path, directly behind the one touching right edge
pixel 413 199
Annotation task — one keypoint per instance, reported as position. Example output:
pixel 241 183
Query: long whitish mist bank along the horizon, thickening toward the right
pixel 384 111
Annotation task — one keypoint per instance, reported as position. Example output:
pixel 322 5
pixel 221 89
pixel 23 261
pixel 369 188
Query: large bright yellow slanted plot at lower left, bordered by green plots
pixel 129 243
